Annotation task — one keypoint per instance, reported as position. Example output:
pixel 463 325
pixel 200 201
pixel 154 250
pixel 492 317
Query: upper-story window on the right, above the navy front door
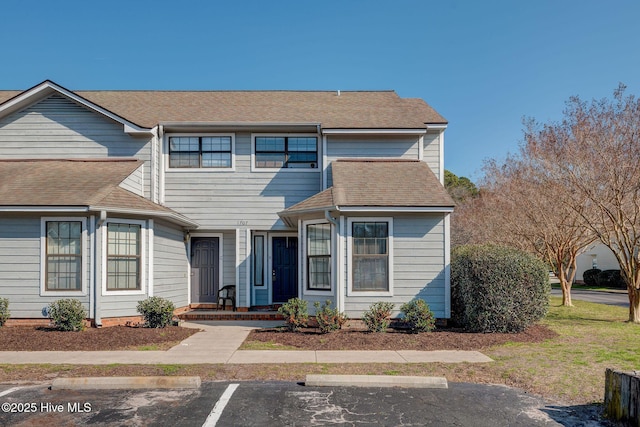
pixel 277 152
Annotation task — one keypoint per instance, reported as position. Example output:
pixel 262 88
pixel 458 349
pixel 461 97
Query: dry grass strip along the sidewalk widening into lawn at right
pixel 569 368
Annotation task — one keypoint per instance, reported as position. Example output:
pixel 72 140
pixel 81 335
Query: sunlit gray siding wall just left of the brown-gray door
pixel 170 264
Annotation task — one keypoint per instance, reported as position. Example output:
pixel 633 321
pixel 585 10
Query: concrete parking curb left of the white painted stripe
pixel 109 383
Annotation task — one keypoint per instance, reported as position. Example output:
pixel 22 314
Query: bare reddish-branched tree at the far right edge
pixel 595 151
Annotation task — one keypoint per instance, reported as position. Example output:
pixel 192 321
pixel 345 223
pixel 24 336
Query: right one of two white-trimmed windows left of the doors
pixel 124 254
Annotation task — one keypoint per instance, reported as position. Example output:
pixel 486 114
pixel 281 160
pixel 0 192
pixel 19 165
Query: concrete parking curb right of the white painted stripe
pixel 375 381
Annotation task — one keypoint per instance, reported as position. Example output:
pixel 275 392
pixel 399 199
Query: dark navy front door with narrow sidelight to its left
pixel 284 276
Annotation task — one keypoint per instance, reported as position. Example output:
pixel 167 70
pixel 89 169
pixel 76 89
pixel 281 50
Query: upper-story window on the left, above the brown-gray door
pixel 200 151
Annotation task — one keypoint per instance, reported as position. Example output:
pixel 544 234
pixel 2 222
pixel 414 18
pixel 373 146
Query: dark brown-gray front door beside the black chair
pixel 205 273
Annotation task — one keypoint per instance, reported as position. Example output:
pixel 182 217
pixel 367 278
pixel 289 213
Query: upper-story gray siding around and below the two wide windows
pixel 218 199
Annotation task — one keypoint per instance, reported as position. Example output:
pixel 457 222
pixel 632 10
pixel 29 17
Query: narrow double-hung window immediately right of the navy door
pixel 319 257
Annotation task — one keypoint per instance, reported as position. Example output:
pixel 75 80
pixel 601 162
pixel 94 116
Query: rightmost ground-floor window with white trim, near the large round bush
pixel 370 256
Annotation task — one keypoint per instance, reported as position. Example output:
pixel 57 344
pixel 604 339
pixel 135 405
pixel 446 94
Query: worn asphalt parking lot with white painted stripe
pixel 285 404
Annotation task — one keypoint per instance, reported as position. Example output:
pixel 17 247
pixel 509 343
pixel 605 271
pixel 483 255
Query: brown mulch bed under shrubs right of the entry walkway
pixel 350 339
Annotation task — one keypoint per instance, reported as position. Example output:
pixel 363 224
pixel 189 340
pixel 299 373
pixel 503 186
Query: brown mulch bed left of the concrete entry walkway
pixel 29 338
